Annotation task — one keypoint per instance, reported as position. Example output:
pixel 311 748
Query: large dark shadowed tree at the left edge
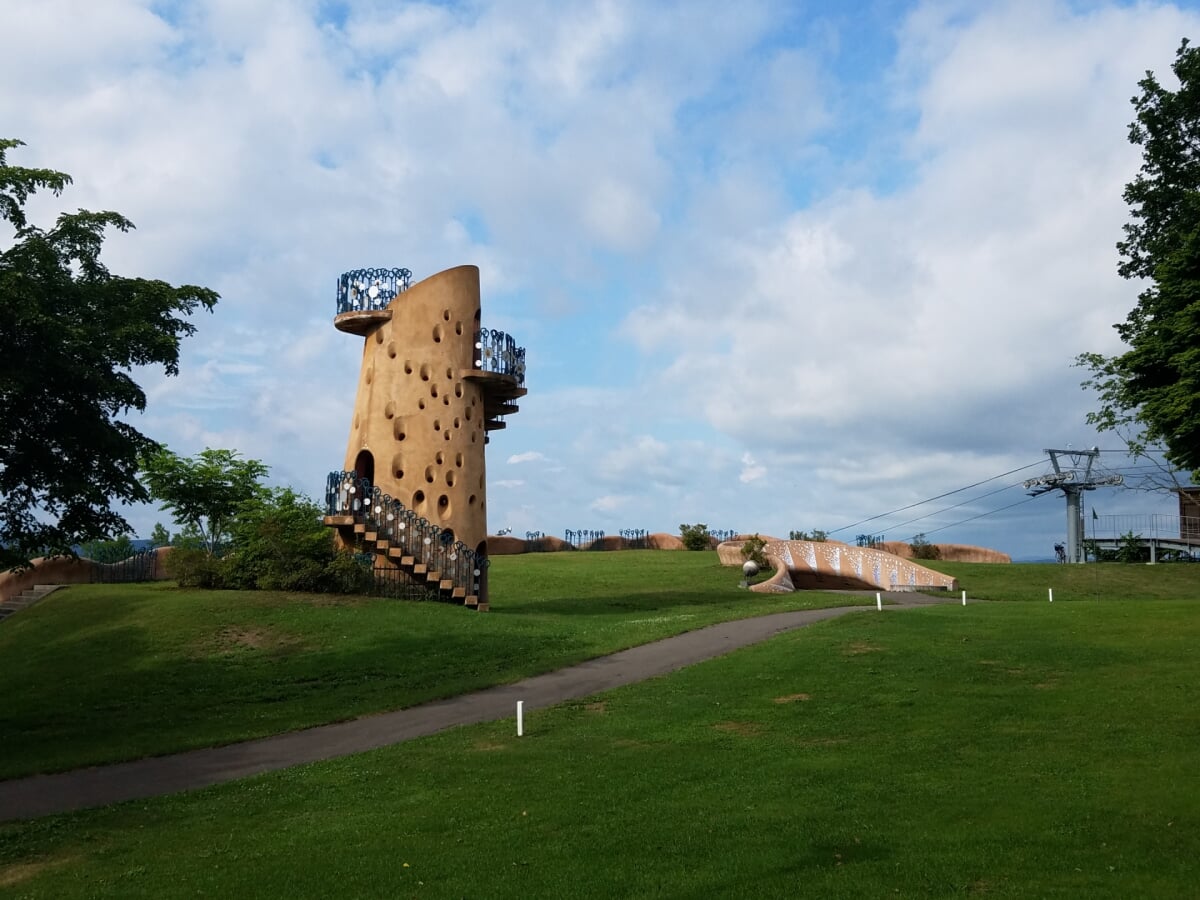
pixel 71 334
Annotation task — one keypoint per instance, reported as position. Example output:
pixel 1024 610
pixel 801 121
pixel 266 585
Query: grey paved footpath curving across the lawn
pixel 101 785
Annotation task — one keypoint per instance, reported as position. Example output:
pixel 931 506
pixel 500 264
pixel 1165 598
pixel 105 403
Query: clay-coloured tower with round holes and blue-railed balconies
pixel 434 383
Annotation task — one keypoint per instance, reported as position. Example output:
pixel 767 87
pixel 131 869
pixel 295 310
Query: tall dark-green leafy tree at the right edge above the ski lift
pixel 1154 388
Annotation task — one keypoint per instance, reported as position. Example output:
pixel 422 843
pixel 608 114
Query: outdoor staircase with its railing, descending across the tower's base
pixel 382 526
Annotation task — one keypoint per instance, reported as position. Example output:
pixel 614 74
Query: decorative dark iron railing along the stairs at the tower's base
pixel 349 495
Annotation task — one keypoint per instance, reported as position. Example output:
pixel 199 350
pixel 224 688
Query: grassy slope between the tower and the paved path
pixel 100 674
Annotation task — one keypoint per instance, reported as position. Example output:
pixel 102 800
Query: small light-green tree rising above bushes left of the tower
pixel 203 494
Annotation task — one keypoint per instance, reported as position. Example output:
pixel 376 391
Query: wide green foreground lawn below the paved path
pixel 1007 751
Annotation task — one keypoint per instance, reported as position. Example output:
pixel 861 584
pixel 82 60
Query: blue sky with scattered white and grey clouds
pixel 776 266
